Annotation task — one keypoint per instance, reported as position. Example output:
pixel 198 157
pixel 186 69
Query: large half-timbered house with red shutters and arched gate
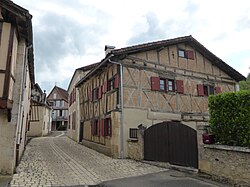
pixel 162 86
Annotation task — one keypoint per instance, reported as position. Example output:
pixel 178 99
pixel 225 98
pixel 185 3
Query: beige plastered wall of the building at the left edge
pixel 16 128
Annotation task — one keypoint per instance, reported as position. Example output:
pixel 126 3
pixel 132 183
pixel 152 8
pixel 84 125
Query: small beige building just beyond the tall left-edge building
pixel 40 114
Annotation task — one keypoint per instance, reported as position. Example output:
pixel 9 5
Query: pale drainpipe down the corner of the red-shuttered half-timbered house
pixel 121 154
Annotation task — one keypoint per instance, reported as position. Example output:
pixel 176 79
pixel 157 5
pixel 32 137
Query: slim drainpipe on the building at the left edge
pixel 21 104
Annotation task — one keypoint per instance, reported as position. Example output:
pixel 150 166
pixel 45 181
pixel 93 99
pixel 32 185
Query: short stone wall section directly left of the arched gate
pixel 136 147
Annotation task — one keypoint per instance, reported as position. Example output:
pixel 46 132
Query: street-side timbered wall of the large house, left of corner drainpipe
pixel 106 106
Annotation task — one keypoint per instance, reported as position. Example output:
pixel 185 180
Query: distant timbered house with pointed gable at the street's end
pixel 58 100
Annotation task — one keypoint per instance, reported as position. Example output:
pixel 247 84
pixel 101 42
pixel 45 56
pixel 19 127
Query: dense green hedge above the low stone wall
pixel 230 118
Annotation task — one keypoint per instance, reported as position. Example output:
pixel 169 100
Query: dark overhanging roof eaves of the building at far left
pixel 21 17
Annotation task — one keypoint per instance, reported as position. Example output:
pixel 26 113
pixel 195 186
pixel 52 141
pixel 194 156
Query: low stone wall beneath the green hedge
pixel 227 162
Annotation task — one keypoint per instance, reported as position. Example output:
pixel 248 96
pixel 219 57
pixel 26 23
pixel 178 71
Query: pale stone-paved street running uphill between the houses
pixel 59 161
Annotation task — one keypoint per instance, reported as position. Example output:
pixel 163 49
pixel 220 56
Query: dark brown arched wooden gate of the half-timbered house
pixel 171 142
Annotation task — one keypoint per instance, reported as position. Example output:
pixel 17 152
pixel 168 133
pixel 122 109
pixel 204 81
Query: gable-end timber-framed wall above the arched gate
pixel 144 106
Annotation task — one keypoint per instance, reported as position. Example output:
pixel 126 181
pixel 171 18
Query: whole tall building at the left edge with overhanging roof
pixel 16 82
